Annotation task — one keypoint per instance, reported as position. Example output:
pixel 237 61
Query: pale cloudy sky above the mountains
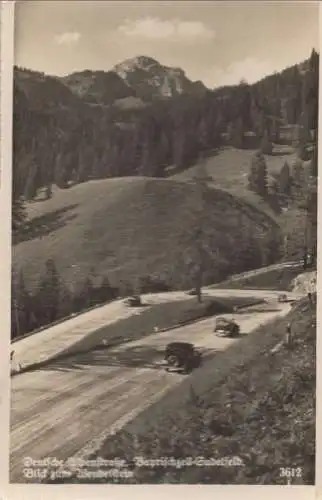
pixel 219 43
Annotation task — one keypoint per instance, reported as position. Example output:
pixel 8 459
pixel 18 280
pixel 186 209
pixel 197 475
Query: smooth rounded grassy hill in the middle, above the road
pixel 124 228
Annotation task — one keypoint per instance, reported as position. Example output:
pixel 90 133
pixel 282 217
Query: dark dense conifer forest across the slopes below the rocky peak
pixel 61 137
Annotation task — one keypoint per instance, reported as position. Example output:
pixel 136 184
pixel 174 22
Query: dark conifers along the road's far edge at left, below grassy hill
pixel 54 299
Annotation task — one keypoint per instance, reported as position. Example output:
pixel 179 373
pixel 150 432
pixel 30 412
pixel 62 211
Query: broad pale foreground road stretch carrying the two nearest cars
pixel 69 407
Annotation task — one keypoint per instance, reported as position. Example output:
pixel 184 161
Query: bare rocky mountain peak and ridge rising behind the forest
pixel 140 77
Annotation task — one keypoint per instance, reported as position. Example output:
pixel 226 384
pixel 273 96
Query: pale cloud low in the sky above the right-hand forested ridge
pixel 249 69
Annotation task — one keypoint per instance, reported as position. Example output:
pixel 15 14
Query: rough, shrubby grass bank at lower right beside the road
pixel 261 409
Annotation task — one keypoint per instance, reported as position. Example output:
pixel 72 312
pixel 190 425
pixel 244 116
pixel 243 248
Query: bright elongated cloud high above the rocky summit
pixel 174 30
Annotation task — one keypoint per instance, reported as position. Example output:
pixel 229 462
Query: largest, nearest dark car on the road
pixel 181 356
